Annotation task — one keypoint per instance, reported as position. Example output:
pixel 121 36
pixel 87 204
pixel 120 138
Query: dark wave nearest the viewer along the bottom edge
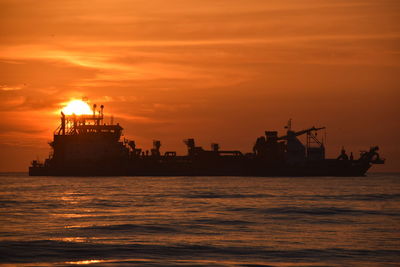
pixel 56 251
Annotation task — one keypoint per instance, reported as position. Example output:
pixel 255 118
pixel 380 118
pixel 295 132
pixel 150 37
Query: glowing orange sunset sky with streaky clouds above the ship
pixel 220 71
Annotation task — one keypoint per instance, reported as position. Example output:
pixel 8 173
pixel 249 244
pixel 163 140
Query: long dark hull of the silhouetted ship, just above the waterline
pixel 238 168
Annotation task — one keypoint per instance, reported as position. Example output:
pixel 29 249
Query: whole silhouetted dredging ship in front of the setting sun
pixel 84 145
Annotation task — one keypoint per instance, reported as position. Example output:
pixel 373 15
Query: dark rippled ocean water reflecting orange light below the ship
pixel 200 221
